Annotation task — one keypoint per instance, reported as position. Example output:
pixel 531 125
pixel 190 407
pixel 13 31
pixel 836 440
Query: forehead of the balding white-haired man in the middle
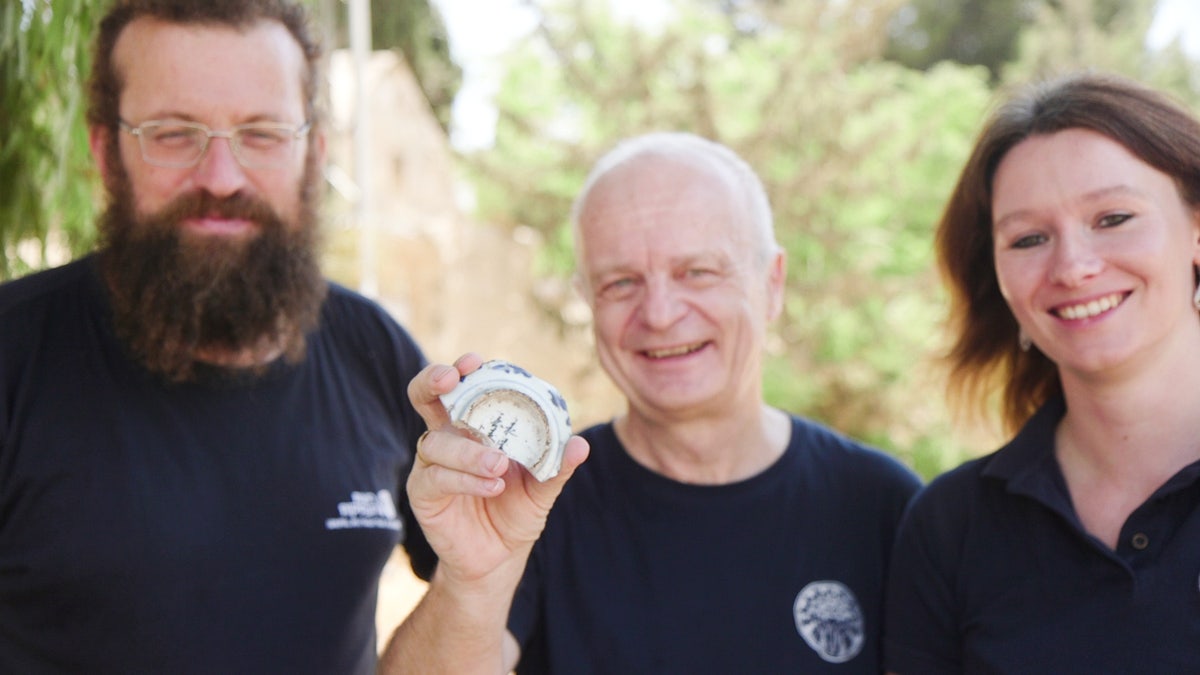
pixel 665 207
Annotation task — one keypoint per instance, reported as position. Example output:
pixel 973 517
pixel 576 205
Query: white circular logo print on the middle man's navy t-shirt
pixel 830 620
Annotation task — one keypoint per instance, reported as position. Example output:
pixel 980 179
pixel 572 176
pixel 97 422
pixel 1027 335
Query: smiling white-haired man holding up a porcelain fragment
pixel 709 531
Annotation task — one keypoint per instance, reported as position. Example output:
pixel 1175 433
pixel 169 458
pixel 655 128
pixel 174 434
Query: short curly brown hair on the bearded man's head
pixel 105 85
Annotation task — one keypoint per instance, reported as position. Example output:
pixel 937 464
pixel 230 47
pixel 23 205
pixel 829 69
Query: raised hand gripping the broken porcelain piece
pixel 481 511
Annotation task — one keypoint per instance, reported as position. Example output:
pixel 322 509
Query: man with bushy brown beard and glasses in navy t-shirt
pixel 189 415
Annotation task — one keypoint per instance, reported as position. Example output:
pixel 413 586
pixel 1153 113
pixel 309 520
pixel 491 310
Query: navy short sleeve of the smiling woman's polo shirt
pixel 921 634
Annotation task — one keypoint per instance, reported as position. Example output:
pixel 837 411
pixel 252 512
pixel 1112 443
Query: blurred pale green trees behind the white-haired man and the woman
pixel 859 150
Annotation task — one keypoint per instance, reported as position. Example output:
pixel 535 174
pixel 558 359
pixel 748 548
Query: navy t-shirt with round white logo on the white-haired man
pixel 781 574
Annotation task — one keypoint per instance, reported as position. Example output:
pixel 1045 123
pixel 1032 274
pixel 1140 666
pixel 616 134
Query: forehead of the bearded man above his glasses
pixel 209 71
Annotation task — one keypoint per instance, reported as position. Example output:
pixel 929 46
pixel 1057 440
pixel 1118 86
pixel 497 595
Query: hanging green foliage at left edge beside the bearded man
pixel 46 177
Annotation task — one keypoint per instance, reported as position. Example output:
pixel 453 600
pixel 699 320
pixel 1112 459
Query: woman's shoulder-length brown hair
pixel 985 354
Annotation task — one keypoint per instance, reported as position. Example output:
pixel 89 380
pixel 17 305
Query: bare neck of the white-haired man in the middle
pixel 707 451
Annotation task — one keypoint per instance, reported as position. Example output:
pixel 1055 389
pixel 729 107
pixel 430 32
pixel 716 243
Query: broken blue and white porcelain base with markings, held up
pixel 509 409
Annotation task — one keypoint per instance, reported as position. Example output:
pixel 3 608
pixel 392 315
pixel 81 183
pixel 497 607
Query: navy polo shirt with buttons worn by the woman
pixel 994 574
